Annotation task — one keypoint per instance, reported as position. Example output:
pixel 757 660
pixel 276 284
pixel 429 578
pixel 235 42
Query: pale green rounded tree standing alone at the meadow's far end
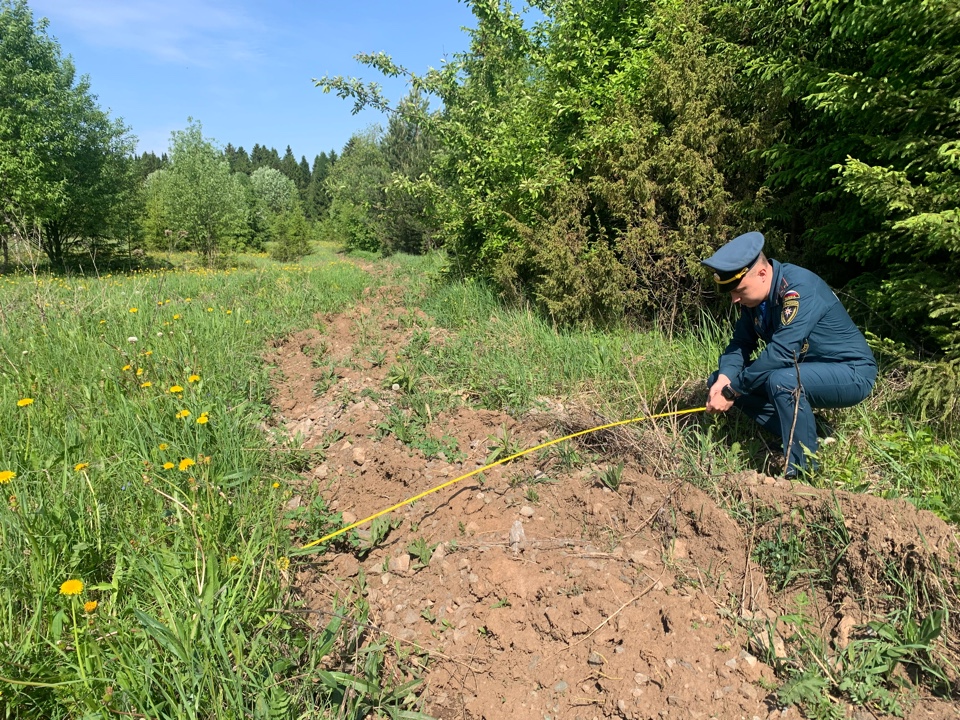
pixel 198 200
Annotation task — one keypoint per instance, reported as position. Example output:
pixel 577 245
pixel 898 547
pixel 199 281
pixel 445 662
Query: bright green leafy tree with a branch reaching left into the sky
pixel 488 183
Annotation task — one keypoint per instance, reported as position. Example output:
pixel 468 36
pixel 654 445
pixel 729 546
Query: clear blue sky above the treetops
pixel 244 68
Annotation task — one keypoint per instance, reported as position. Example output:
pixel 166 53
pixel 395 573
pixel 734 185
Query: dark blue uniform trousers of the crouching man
pixel 822 385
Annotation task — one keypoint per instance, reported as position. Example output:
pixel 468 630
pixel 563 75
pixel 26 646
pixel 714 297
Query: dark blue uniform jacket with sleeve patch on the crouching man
pixel 802 318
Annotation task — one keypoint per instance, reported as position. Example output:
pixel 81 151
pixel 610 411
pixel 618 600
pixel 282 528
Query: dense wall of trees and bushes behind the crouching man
pixel 588 160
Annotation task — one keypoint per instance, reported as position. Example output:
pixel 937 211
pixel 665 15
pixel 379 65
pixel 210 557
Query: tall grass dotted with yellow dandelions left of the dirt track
pixel 142 553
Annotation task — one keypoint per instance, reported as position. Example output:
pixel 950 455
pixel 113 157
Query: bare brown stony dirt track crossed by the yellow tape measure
pixel 538 592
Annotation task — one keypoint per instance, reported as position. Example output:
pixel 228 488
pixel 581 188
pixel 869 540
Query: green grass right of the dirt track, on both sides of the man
pixel 510 358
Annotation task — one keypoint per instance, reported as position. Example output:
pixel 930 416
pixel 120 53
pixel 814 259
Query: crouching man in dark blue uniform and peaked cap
pixel 808 335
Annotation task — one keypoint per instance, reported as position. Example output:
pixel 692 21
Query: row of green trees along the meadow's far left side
pixel 72 190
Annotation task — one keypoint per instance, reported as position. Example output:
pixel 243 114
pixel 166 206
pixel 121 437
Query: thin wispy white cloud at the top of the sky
pixel 200 33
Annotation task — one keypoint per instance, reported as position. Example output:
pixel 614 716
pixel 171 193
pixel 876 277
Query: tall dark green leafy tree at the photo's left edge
pixel 66 168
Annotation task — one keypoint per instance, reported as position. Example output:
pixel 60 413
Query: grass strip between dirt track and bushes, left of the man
pixel 511 357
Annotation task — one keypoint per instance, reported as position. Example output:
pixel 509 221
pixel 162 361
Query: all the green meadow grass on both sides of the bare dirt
pixel 142 538
